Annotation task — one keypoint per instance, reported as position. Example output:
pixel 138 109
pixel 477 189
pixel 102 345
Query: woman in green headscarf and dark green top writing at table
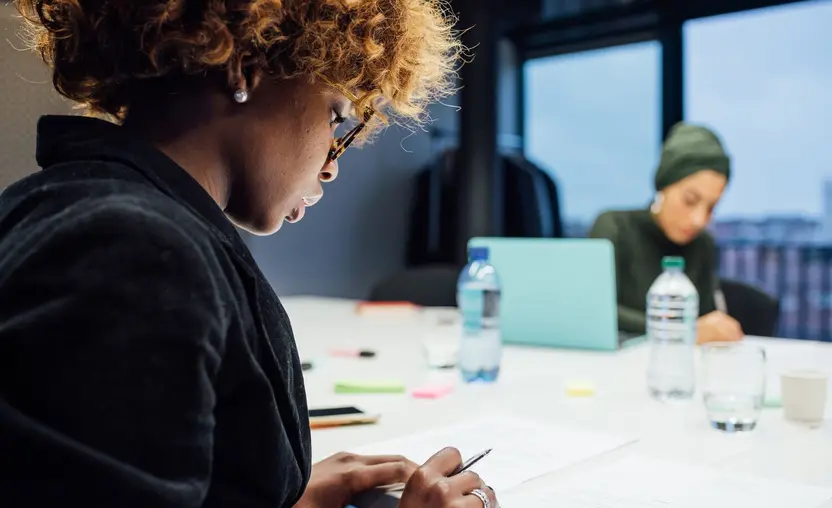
pixel 691 178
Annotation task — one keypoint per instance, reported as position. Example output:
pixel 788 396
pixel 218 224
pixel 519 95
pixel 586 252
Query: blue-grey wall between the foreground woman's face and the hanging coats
pixel 357 234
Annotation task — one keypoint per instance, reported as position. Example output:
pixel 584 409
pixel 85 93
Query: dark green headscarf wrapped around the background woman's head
pixel 687 150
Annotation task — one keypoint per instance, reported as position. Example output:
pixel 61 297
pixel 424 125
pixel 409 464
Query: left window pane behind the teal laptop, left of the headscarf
pixel 592 120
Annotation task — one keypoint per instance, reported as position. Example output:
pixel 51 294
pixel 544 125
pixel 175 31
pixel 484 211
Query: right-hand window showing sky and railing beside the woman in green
pixel 763 80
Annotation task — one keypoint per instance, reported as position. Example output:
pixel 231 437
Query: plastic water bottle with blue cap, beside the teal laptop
pixel 478 298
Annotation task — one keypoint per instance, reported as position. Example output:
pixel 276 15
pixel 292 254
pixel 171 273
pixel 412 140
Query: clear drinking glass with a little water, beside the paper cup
pixel 733 384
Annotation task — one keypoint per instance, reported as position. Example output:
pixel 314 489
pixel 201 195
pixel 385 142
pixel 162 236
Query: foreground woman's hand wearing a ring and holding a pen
pixel 432 487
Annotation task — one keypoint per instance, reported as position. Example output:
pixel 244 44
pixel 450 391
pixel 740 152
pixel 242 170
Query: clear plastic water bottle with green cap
pixel 672 311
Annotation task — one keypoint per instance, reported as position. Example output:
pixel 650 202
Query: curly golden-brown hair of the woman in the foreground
pixel 396 55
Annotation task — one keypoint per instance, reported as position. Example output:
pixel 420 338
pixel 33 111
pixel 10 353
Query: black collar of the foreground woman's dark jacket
pixel 71 138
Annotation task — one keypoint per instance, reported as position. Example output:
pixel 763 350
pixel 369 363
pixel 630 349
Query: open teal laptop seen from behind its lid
pixel 557 292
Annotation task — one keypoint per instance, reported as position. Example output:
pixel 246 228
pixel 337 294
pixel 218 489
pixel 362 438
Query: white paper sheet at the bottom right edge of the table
pixel 640 482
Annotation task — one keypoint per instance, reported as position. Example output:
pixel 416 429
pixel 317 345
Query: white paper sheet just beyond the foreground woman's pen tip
pixel 521 450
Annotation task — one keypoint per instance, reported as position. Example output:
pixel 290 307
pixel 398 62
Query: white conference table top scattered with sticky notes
pixel 532 385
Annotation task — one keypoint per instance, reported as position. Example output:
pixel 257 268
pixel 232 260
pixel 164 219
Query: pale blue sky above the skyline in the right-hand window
pixel 763 80
